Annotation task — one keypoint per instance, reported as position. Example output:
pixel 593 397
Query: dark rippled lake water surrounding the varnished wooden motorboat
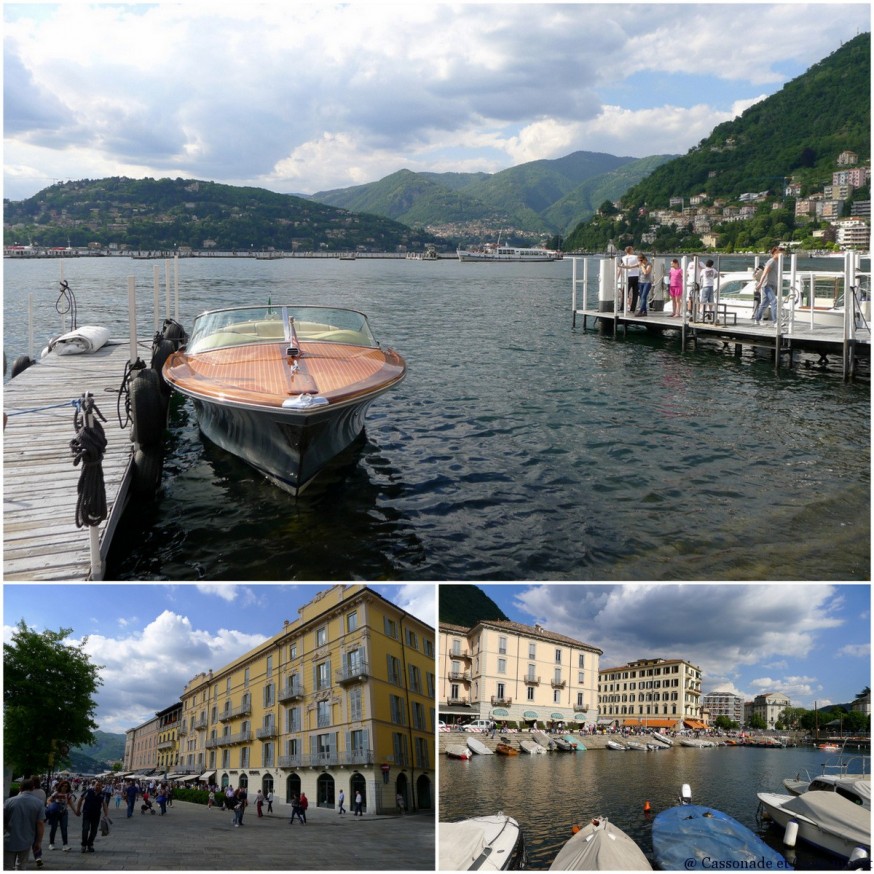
pixel 517 447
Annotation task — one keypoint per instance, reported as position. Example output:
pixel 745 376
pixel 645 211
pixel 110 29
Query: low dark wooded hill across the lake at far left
pixel 164 214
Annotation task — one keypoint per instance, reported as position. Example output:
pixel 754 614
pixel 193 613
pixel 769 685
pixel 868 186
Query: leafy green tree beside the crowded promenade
pixel 48 703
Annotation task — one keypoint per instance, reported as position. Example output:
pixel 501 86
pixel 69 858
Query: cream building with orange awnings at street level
pixel 656 692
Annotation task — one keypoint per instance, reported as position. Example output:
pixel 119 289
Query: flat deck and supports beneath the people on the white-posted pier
pixel 822 340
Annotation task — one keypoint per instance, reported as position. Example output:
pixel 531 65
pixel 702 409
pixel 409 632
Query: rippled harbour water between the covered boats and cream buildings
pixel 548 794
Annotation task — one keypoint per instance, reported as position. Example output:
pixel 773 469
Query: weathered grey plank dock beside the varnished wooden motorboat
pixel 40 482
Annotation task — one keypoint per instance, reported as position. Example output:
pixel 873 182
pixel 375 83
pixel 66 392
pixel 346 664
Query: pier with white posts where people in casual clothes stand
pixel 596 297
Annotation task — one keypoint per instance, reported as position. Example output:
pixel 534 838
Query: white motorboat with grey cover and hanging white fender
pixel 824 819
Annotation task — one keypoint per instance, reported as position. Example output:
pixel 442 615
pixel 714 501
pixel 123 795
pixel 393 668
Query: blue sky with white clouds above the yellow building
pixel 152 639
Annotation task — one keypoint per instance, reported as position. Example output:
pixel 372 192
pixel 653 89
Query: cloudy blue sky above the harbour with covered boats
pixel 811 642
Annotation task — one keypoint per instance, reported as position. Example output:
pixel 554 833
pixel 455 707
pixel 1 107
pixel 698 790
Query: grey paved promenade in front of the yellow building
pixel 192 838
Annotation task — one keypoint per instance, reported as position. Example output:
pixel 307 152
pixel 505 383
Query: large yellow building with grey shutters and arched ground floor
pixel 343 697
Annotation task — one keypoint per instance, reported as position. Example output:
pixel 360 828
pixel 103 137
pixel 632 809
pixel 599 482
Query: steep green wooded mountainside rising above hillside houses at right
pixel 794 135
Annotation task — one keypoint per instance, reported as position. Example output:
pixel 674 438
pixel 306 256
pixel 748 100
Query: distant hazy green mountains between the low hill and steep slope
pixel 526 201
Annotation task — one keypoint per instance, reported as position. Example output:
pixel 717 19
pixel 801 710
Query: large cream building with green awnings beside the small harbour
pixel 507 671
